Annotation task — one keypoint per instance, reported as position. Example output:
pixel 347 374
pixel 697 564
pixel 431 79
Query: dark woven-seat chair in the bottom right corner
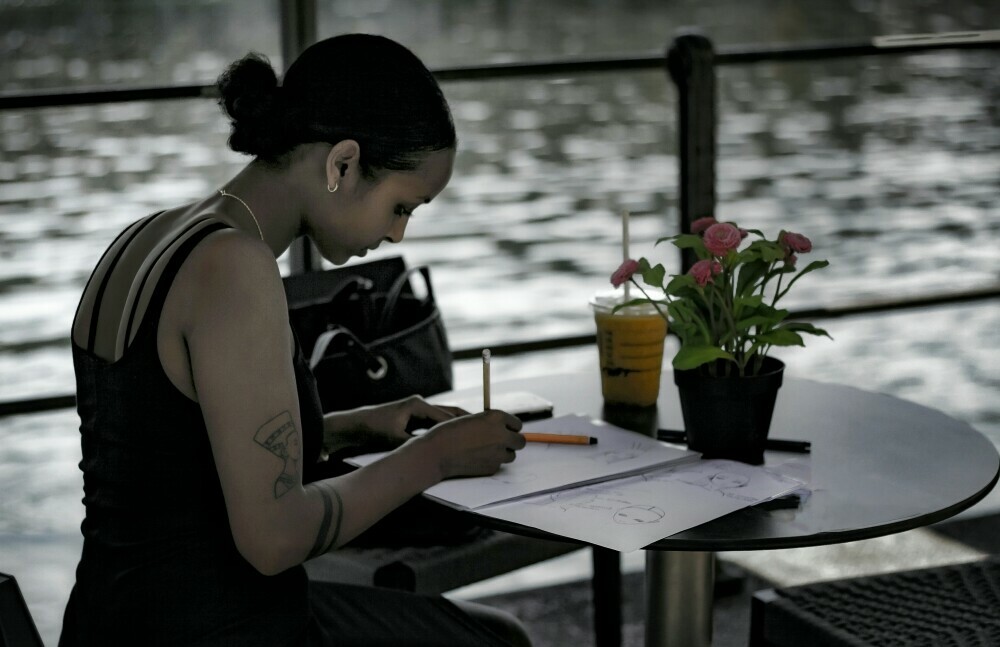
pixel 947 606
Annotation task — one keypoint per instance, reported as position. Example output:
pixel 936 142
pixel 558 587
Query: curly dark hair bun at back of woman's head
pixel 249 94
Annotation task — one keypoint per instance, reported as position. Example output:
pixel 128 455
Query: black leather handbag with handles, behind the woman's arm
pixel 369 337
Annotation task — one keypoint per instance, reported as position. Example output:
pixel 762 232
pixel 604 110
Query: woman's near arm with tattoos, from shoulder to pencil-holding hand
pixel 239 347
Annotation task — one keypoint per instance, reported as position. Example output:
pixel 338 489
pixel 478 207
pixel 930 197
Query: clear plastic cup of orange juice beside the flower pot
pixel 630 345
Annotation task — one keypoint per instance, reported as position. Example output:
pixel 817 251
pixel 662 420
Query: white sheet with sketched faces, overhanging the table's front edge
pixel 627 514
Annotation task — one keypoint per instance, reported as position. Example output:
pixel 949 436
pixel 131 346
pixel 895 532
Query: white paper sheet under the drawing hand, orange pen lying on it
pixel 541 467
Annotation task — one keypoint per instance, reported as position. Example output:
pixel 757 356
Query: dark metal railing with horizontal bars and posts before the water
pixel 690 61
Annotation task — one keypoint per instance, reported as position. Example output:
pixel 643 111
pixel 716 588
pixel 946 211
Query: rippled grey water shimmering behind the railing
pixel 890 165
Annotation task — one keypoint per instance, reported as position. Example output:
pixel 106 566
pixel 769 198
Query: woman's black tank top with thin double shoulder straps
pixel 159 564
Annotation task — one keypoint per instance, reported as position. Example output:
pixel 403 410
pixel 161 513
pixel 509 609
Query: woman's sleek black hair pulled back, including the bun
pixel 355 86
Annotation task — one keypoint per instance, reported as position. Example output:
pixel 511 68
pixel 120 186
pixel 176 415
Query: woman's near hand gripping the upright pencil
pixel 474 445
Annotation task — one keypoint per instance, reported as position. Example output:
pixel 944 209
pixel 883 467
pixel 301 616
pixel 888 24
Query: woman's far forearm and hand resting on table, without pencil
pixel 382 427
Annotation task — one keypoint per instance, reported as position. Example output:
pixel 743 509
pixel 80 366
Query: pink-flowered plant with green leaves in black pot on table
pixel 725 312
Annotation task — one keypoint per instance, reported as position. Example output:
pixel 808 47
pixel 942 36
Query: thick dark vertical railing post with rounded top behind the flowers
pixel 690 63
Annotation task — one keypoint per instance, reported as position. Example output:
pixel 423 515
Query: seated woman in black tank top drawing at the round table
pixel 195 401
